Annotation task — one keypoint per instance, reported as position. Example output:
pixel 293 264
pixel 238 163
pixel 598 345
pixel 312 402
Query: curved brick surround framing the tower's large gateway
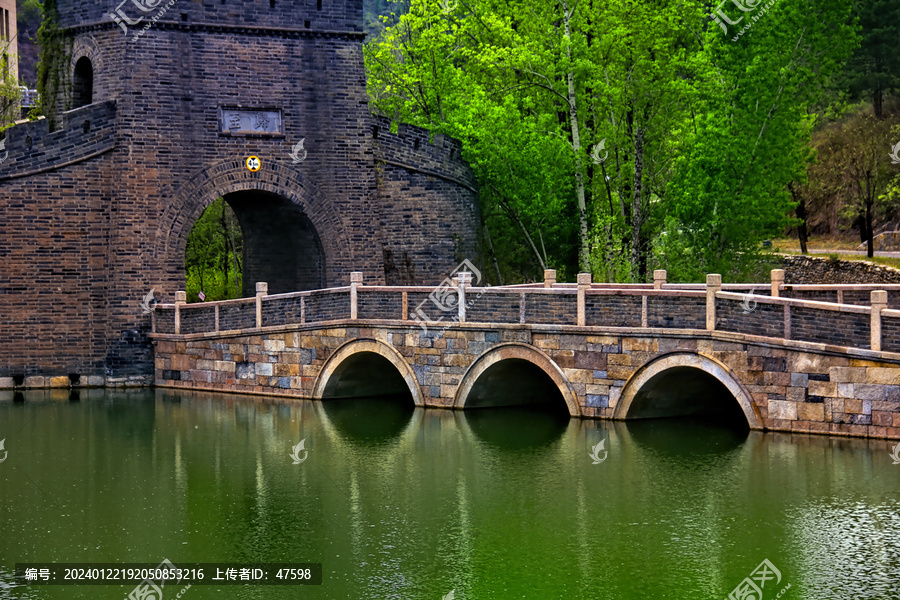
pixel 231 176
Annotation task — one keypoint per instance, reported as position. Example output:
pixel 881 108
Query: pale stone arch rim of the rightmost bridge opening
pixel 677 361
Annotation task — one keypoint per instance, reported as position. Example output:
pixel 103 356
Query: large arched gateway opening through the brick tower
pixel 250 236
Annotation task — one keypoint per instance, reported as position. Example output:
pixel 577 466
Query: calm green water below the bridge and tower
pixel 400 504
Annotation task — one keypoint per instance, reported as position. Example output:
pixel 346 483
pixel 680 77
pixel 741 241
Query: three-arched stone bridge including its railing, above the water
pixel 803 358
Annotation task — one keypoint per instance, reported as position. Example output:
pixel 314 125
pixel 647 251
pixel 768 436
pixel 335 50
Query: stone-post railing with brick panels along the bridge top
pixel 856 316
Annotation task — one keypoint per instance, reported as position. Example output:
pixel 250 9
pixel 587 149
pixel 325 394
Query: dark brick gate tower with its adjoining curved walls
pixel 155 109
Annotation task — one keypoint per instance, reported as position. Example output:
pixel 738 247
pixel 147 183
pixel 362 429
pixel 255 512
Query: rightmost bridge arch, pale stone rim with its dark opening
pixel 688 385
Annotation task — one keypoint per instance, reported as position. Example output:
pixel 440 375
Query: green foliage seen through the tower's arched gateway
pixel 212 257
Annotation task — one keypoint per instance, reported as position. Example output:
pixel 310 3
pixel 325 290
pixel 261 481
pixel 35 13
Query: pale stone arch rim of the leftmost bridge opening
pixel 351 354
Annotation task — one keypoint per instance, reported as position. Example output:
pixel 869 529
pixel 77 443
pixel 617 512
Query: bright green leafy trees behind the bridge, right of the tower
pixel 703 133
